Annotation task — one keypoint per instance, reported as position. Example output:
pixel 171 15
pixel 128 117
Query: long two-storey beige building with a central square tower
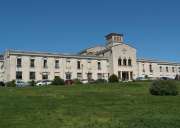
pixel 99 62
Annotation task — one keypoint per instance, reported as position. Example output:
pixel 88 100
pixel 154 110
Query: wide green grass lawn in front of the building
pixel 127 105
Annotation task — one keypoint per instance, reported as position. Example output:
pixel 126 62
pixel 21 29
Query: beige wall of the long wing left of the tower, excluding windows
pixel 86 67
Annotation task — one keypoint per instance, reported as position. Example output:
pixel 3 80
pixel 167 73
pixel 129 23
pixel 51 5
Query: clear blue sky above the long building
pixel 152 26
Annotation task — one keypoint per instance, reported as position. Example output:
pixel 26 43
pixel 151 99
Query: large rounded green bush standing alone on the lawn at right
pixel 163 88
